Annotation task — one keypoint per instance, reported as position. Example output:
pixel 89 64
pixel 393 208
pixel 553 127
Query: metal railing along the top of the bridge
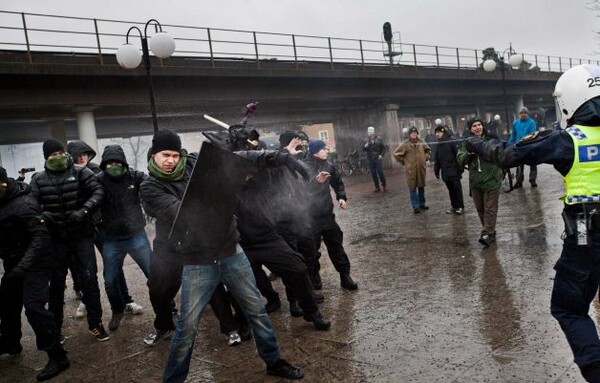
pixel 32 32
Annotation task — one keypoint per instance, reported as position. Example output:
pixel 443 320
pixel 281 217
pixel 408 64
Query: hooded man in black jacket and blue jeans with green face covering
pixel 122 227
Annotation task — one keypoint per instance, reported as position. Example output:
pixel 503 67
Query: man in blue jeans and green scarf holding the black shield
pixel 207 259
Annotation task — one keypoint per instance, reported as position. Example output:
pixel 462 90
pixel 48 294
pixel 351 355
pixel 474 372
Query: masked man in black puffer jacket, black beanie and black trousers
pixel 69 196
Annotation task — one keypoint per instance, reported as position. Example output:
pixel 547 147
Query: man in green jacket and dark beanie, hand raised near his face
pixel 485 179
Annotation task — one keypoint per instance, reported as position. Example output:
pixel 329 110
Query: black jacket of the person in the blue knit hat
pixel 320 202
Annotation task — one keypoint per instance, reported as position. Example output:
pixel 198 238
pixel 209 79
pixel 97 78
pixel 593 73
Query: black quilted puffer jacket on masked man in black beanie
pixel 60 194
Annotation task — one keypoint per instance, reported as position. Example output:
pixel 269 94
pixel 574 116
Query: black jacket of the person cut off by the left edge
pixel 24 239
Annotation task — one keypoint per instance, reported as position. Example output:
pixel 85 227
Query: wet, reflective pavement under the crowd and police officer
pixel 432 306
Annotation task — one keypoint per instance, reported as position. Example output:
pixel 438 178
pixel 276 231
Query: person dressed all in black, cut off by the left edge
pixel 27 257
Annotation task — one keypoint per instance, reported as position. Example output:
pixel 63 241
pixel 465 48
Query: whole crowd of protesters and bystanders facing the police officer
pixel 282 214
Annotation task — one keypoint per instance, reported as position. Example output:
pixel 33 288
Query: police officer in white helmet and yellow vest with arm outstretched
pixel 575 154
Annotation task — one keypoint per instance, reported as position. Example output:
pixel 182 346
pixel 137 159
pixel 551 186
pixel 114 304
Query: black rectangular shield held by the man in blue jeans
pixel 211 195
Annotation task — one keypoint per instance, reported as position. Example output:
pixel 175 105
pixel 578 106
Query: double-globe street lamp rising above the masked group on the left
pixel 128 56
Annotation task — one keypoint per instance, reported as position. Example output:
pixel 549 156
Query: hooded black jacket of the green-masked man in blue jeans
pixel 121 209
